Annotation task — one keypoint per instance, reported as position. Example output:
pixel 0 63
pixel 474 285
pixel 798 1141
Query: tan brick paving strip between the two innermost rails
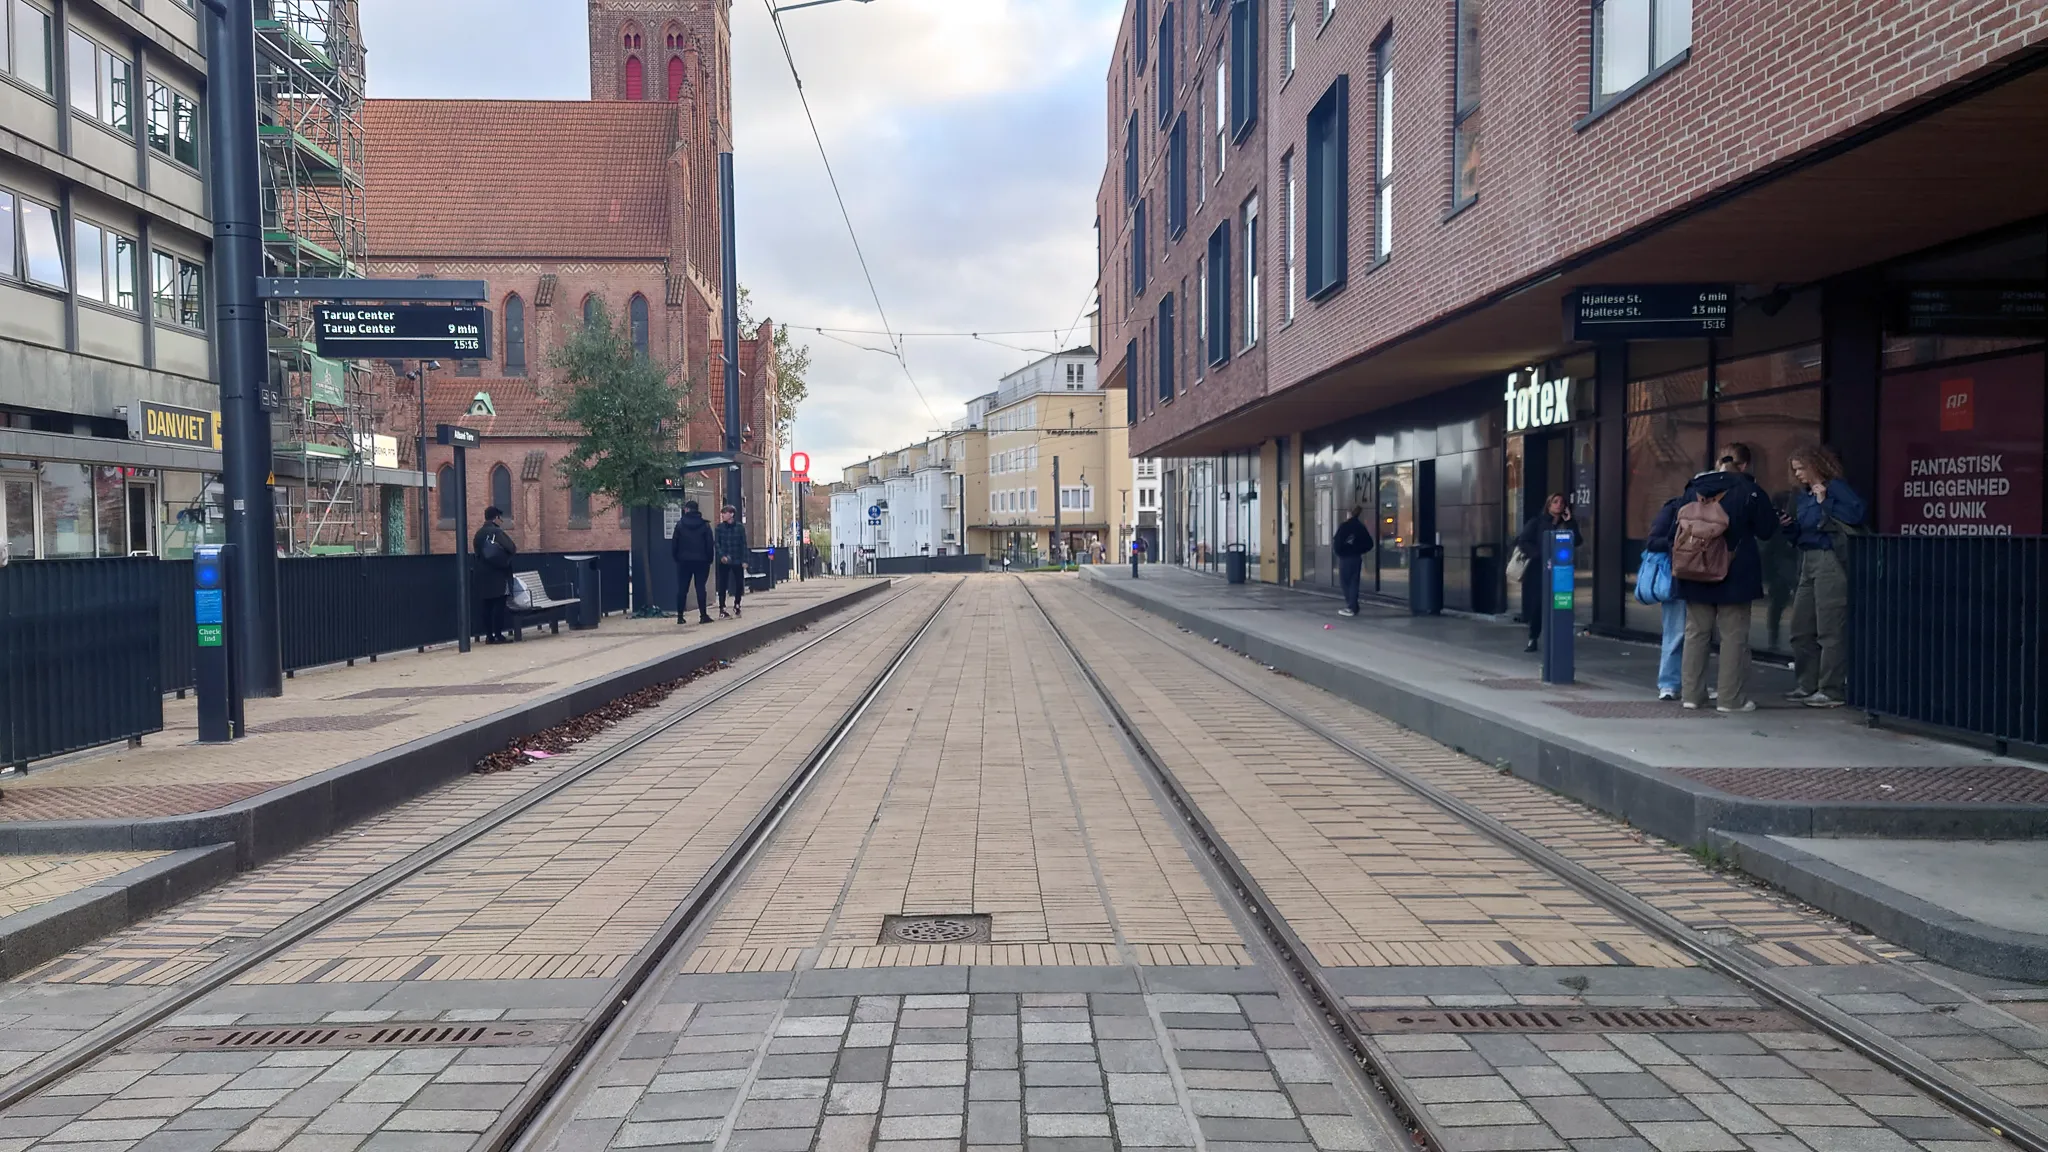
pixel 988 784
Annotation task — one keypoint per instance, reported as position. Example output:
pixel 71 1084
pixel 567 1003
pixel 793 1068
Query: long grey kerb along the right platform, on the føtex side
pixel 1648 798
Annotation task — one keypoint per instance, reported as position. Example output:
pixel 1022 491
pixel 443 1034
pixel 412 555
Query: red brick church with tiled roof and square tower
pixel 560 206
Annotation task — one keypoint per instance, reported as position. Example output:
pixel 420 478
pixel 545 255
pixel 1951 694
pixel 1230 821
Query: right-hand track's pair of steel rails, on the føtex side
pixel 2002 1120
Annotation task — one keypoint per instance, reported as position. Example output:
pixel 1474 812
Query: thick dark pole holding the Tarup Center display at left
pixel 243 341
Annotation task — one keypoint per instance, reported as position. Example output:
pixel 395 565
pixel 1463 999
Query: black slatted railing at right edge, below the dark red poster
pixel 1953 632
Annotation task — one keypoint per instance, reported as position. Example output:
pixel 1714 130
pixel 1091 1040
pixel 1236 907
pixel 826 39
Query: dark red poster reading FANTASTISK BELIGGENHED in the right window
pixel 1961 450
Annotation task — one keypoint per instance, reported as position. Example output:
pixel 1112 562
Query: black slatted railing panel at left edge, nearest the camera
pixel 81 655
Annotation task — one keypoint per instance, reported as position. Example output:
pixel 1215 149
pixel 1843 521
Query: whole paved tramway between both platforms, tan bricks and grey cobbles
pixel 1101 1016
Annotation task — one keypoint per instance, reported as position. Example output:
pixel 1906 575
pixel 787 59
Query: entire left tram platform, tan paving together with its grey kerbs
pixel 99 839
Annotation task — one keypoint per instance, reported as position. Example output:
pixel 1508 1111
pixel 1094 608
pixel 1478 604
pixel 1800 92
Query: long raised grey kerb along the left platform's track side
pixel 280 821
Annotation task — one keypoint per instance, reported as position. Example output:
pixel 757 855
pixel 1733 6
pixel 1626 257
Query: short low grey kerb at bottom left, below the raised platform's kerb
pixel 56 928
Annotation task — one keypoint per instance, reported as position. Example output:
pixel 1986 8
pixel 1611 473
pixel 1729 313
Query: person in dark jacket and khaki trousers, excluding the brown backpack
pixel 1723 606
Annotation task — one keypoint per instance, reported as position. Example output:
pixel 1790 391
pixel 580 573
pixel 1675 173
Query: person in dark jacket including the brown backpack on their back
pixel 1717 569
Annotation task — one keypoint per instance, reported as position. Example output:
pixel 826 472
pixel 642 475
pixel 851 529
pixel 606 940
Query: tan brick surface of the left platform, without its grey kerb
pixel 357 712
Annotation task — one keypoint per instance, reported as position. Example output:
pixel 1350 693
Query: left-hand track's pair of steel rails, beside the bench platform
pixel 138 1020
